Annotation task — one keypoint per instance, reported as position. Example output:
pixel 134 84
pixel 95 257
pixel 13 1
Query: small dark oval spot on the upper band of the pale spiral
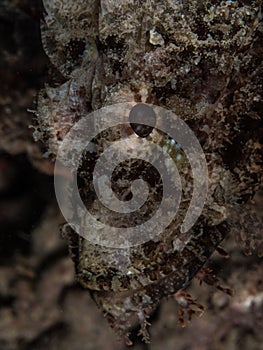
pixel 142 119
